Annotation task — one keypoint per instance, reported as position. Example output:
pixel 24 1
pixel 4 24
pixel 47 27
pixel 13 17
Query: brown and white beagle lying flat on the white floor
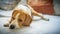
pixel 22 16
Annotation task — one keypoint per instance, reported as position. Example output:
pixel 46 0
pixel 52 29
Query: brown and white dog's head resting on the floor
pixel 19 19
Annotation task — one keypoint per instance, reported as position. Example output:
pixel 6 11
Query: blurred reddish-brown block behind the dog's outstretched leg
pixel 43 6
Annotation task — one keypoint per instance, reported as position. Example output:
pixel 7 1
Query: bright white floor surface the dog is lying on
pixel 37 26
